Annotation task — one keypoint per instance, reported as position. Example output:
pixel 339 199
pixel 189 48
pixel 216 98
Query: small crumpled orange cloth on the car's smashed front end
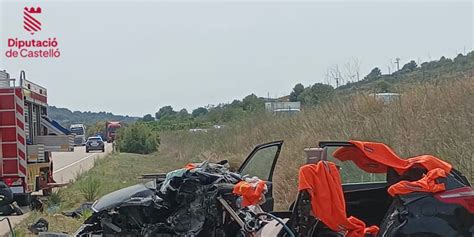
pixel 251 194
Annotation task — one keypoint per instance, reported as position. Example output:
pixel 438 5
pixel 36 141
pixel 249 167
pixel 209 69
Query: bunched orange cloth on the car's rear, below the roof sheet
pixel 425 184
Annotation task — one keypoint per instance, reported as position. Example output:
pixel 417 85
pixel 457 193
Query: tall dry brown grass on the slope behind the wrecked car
pixel 433 119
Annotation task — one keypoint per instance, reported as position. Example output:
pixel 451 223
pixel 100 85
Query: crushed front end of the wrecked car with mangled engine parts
pixel 183 203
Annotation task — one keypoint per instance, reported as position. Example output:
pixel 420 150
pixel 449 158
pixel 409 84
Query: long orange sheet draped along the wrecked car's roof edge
pixel 375 157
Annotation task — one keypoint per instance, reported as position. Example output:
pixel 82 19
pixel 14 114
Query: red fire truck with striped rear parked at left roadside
pixel 27 138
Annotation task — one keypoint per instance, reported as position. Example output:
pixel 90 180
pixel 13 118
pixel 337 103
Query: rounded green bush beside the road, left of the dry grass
pixel 138 138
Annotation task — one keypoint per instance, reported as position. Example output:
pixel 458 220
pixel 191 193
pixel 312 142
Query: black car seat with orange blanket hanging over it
pixel 315 182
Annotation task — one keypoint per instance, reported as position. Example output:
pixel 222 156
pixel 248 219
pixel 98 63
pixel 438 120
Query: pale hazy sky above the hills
pixel 133 57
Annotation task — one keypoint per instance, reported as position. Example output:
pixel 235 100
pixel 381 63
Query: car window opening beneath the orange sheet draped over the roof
pixel 349 171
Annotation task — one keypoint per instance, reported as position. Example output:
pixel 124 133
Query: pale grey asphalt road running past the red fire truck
pixel 66 166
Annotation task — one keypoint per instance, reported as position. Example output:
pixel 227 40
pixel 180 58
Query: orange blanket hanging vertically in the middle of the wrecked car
pixel 323 182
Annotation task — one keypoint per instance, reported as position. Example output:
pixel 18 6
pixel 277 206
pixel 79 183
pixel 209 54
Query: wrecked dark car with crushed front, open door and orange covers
pixel 346 189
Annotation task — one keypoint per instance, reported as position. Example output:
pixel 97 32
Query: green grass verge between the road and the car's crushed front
pixel 111 173
